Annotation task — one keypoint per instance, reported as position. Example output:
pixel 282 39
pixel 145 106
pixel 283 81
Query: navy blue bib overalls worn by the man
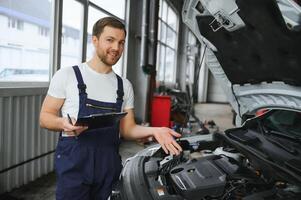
pixel 89 164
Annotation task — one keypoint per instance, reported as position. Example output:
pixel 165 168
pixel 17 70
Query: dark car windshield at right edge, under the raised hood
pixel 284 121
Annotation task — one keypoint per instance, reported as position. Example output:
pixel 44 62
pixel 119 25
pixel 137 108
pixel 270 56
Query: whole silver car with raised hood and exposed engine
pixel 253 48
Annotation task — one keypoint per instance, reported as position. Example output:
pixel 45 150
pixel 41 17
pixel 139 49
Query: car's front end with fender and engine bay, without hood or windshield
pixel 241 163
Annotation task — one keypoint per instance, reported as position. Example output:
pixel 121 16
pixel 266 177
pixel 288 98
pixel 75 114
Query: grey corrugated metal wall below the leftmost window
pixel 22 139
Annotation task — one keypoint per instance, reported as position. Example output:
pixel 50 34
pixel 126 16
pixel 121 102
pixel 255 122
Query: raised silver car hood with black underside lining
pixel 253 49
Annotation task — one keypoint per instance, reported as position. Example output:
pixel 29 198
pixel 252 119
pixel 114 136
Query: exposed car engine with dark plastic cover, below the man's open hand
pixel 219 173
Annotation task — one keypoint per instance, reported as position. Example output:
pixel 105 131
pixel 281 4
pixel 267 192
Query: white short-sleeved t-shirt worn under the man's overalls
pixel 100 87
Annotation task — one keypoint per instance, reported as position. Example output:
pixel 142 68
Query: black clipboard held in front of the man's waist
pixel 102 120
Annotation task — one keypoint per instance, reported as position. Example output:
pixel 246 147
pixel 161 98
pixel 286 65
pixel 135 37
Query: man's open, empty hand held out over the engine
pixel 165 137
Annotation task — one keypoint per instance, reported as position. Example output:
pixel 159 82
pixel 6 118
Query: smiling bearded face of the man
pixel 109 45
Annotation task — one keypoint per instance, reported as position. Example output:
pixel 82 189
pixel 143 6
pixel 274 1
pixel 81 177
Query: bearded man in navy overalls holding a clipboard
pixel 87 161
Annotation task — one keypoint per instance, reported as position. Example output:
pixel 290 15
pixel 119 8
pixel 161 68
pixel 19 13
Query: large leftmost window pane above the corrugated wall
pixel 24 42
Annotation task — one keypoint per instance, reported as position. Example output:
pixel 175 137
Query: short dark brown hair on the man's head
pixel 107 21
